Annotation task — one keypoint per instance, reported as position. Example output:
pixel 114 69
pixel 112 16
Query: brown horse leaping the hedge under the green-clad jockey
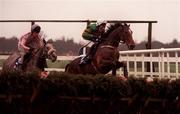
pixel 107 54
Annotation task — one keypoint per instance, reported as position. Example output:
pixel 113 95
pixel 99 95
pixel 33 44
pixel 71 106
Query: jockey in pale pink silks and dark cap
pixel 31 40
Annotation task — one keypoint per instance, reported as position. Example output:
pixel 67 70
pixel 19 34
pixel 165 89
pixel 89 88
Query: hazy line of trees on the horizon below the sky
pixel 69 47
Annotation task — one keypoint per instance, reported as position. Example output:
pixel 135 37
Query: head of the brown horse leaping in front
pixel 125 36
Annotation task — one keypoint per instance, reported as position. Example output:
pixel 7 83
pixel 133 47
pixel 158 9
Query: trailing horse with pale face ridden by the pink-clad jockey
pixel 36 59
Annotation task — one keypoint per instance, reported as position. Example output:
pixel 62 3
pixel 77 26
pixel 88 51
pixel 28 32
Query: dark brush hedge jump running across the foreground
pixel 86 94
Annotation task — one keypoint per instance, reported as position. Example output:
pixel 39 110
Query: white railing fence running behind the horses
pixel 161 63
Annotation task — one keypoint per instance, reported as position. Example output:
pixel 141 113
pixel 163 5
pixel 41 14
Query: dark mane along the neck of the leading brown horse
pixel 111 28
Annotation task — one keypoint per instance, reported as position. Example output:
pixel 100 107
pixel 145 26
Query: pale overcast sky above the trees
pixel 166 12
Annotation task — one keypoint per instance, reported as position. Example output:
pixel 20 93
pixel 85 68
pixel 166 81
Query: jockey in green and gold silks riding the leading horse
pixel 93 32
